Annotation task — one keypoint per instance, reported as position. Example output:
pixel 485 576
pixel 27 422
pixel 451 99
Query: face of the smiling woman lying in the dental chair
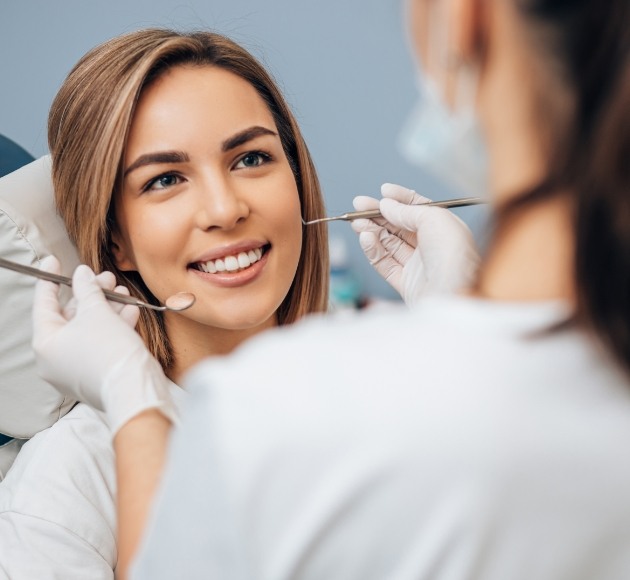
pixel 209 203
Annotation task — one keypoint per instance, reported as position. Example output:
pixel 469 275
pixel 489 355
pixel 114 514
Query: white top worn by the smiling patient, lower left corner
pixel 57 502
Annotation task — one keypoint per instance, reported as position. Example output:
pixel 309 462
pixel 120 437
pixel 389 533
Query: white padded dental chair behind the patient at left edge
pixel 30 230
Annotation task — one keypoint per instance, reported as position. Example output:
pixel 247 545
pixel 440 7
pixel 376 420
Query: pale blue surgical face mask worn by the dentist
pixel 447 143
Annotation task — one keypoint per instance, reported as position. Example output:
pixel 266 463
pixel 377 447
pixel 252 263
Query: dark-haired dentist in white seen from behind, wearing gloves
pixel 480 434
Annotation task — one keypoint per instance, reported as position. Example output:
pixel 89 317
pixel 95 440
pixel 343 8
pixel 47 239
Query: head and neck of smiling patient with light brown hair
pixel 173 150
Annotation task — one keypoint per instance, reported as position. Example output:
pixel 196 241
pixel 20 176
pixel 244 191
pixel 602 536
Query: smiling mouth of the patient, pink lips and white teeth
pixel 231 270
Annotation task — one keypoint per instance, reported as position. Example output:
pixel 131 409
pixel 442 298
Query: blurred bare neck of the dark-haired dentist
pixel 532 255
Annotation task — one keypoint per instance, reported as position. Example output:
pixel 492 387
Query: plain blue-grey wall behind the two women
pixel 343 65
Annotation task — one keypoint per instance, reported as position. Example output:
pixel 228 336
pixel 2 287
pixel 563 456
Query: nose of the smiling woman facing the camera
pixel 220 206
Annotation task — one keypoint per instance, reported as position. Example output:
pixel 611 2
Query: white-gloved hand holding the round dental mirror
pixel 90 352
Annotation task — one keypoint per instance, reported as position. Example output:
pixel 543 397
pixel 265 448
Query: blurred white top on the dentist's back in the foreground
pixel 448 442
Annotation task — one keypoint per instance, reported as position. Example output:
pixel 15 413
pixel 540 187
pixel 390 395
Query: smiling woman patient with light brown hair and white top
pixel 178 166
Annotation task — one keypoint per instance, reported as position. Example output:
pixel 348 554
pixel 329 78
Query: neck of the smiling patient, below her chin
pixel 192 342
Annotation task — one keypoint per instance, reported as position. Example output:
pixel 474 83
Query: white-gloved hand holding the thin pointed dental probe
pixel 419 250
